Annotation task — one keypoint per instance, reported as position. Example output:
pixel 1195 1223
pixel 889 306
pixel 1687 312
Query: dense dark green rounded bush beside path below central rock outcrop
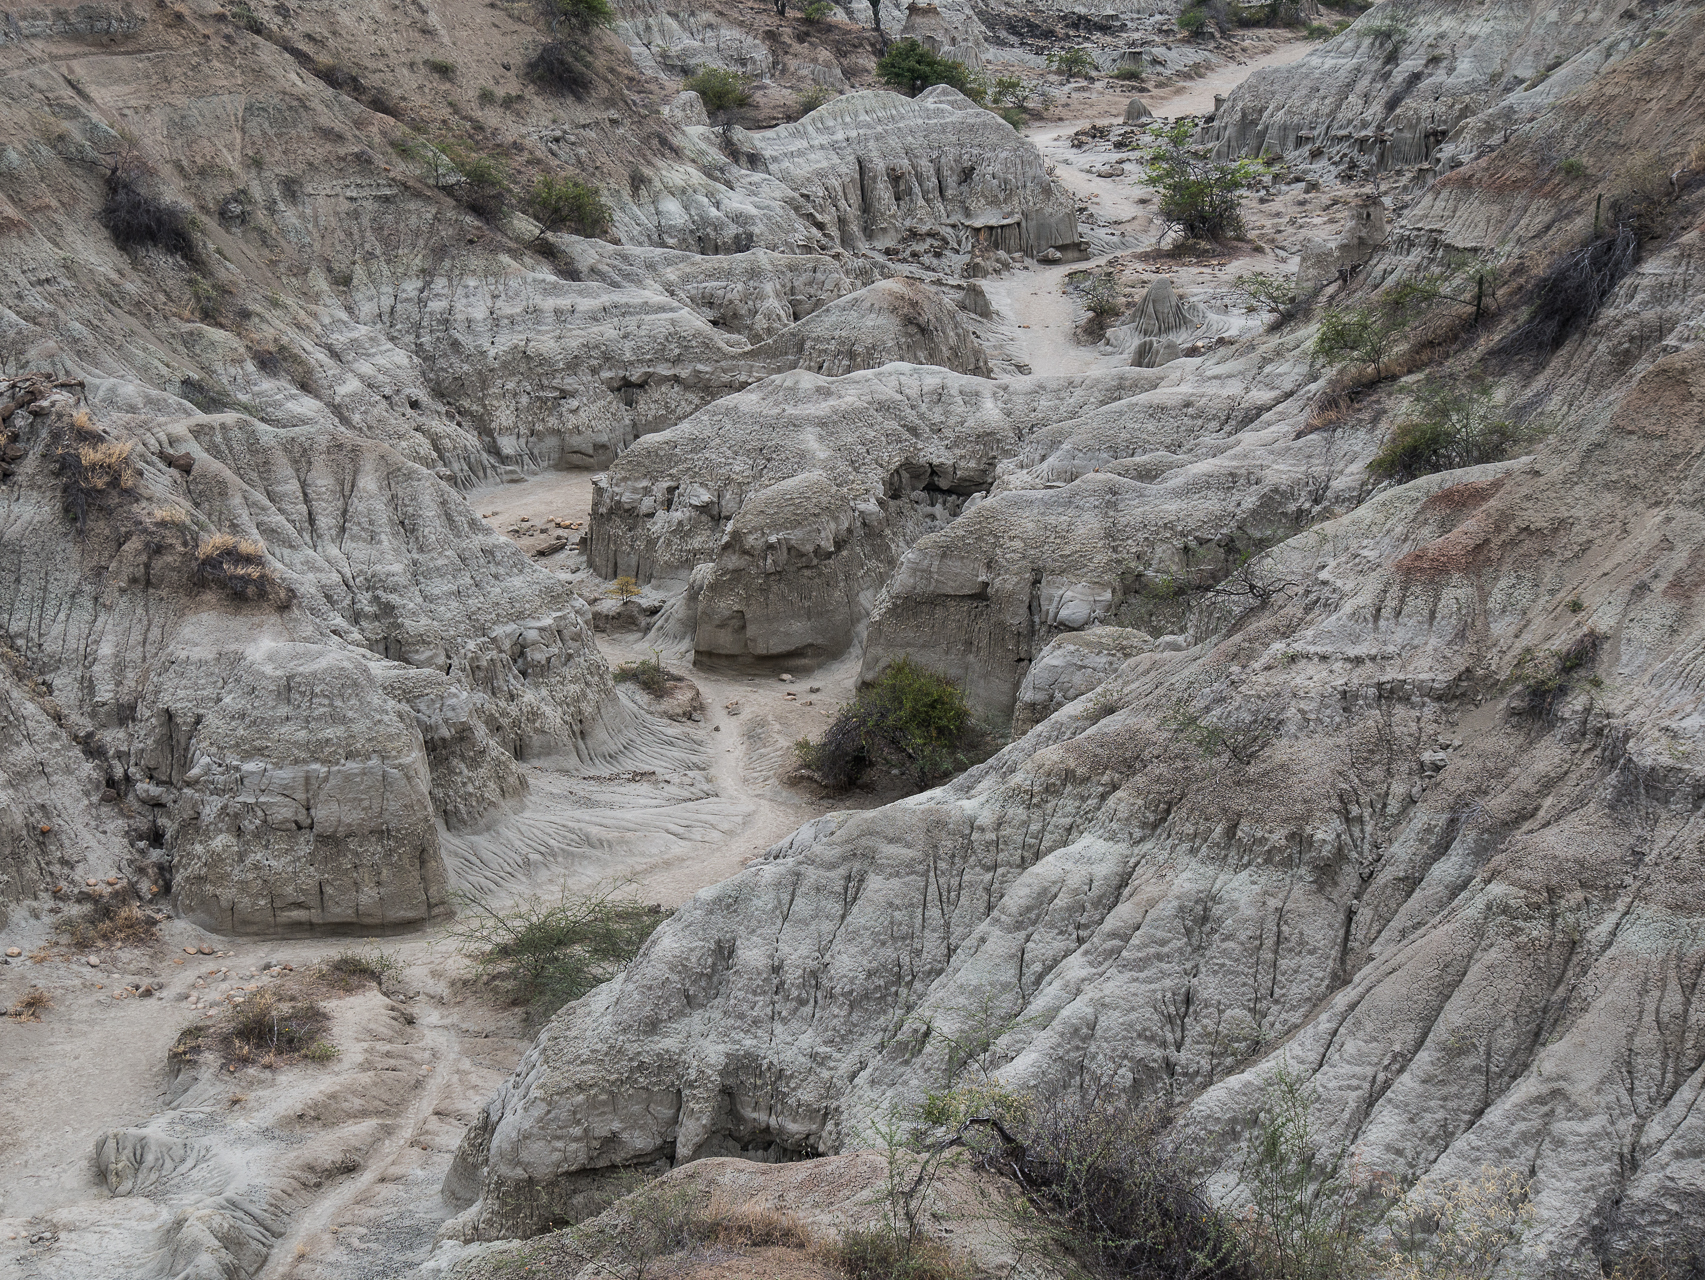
pixel 908 718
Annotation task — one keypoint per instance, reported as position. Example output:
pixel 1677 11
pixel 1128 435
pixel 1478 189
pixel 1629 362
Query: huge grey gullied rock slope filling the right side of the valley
pixel 1416 809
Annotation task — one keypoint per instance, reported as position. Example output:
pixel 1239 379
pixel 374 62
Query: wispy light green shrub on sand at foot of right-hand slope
pixel 545 954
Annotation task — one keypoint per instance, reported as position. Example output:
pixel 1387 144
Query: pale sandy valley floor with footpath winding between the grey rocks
pixel 681 809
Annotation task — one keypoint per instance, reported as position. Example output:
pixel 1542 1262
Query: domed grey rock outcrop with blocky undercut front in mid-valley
pixel 905 449
